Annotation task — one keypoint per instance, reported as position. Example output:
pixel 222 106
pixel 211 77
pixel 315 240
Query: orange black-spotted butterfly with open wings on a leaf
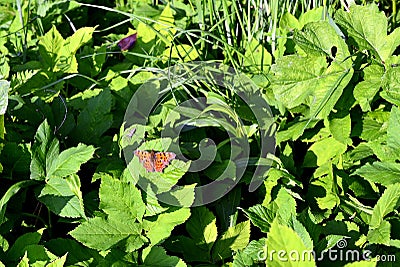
pixel 154 161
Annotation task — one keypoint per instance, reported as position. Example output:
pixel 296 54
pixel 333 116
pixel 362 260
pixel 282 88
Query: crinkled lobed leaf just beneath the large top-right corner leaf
pixel 365 91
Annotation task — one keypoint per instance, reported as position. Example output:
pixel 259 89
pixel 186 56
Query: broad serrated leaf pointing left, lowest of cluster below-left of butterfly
pixel 102 234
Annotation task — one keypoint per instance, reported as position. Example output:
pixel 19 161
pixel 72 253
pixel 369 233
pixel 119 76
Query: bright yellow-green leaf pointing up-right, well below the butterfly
pixel 161 228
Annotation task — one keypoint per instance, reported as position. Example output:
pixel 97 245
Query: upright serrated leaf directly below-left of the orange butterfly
pixel 120 200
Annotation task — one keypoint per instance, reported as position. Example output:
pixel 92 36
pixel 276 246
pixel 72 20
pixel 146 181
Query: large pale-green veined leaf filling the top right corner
pixel 368 27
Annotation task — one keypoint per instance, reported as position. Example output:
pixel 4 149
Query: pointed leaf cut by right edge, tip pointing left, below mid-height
pixel 384 173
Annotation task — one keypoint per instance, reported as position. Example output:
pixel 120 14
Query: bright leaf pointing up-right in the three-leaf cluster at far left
pixel 69 161
